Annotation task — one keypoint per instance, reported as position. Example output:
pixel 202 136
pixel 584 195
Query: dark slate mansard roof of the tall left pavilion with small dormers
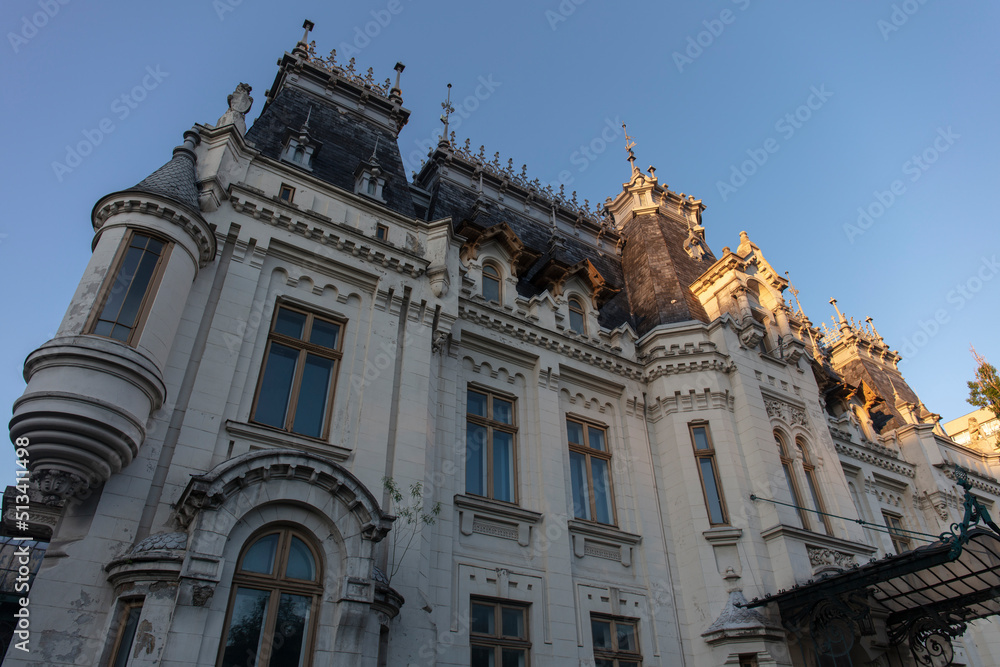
pixel 345 138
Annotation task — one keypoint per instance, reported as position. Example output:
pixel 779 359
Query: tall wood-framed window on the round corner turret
pixel 126 297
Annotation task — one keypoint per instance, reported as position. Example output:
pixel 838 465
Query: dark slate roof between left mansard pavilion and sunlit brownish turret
pixel 449 199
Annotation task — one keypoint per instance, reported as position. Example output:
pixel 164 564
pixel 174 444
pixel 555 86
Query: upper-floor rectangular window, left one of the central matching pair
pixel 490 446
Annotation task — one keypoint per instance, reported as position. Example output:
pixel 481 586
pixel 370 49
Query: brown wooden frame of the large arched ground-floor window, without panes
pixel 276 584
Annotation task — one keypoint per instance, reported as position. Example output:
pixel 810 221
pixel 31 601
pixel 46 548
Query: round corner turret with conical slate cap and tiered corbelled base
pixel 92 388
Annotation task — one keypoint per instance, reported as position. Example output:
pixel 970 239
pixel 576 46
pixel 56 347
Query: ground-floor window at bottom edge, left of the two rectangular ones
pixel 498 634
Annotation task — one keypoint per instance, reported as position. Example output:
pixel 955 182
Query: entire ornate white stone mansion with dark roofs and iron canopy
pixel 604 443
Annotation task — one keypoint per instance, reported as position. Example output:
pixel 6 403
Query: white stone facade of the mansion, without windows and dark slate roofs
pixel 162 520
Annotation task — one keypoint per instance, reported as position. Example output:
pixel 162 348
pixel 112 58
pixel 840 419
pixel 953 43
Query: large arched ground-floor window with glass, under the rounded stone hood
pixel 275 600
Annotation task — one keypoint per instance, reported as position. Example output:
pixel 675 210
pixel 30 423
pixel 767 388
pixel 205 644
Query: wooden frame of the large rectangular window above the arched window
pixel 304 348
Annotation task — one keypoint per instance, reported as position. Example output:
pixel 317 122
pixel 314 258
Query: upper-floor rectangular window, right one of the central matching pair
pixel 590 471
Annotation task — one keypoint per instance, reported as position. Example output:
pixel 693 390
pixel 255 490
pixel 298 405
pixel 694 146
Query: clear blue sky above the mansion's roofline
pixel 784 117
